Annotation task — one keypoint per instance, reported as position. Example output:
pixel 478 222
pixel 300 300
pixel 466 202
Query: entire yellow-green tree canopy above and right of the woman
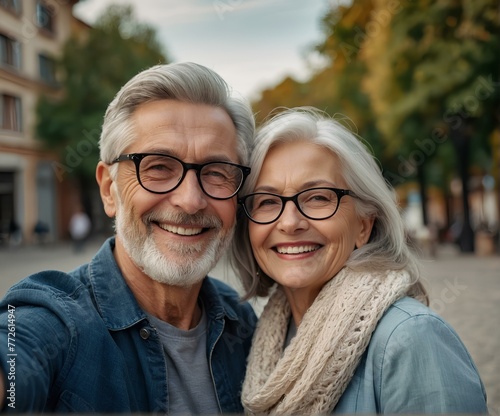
pixel 405 72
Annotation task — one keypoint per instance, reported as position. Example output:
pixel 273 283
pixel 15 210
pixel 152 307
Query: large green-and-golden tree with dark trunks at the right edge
pixel 432 87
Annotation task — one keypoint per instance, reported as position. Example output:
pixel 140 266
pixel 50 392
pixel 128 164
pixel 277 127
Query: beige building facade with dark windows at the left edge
pixel 32 34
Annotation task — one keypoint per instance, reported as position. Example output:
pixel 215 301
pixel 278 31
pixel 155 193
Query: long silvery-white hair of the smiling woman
pixel 387 248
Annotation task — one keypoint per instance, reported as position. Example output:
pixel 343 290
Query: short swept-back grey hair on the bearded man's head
pixel 183 81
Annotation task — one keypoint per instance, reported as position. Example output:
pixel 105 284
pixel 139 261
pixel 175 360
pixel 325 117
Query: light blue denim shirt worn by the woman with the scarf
pixel 415 363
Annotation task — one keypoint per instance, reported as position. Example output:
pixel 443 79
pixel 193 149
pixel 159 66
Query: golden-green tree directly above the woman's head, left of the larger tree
pixel 336 87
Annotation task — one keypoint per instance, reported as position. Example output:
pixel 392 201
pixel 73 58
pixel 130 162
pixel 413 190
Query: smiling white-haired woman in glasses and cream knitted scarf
pixel 346 327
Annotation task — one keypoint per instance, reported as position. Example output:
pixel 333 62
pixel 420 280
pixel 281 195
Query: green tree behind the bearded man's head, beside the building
pixel 93 67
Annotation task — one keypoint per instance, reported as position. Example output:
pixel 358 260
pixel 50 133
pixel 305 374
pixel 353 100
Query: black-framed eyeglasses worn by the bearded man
pixel 160 174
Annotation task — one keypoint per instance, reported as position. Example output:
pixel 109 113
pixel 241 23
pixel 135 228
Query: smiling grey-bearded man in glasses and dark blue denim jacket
pixel 141 328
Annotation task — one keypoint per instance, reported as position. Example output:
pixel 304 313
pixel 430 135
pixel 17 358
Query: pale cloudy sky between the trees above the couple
pixel 252 44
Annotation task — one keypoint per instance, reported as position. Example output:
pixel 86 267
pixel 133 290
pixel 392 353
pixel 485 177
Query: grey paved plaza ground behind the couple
pixel 464 289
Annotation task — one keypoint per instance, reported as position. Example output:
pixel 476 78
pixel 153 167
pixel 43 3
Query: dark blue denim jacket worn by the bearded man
pixel 83 344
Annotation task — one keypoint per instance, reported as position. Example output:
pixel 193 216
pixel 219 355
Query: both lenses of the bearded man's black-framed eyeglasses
pixel 161 174
